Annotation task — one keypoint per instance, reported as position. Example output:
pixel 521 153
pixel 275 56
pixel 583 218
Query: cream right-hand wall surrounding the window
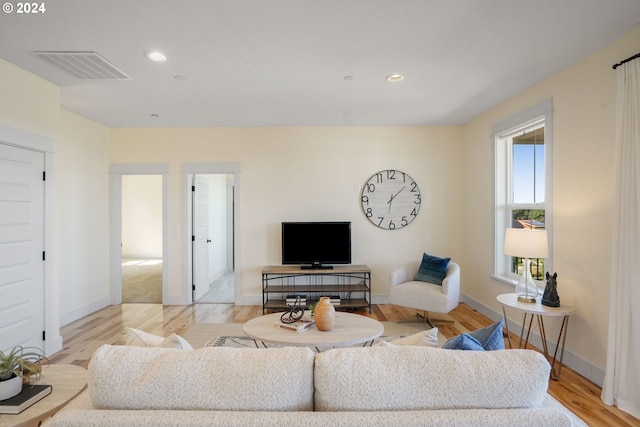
pixel 584 100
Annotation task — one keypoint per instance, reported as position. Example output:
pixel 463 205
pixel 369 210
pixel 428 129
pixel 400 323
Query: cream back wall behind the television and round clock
pixel 311 174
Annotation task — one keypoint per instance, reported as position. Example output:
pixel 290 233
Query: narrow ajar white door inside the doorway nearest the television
pixel 200 236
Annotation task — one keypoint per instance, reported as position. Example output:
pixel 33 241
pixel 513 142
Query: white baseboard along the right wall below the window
pixel 581 366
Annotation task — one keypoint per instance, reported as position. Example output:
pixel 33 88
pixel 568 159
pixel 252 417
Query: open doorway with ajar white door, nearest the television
pixel 213 261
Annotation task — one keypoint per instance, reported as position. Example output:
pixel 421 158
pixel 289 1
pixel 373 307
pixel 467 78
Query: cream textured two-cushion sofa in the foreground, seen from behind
pixel 374 386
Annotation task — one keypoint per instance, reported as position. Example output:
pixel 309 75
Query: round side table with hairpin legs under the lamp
pixel 538 311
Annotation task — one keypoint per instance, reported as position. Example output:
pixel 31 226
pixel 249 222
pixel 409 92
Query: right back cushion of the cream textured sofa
pixel 413 378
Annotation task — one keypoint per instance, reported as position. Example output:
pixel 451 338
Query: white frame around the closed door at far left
pixel 30 141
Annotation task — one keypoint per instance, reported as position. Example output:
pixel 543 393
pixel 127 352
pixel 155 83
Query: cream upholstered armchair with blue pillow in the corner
pixel 407 292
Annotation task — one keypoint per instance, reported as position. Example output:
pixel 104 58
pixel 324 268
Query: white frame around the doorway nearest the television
pixel 188 170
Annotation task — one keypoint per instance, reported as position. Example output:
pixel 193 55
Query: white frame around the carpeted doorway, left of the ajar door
pixel 116 171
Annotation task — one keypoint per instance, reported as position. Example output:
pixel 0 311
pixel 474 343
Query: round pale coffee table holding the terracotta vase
pixel 349 330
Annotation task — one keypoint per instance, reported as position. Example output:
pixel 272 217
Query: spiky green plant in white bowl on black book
pixel 18 366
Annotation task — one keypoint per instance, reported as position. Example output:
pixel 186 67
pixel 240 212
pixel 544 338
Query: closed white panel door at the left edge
pixel 21 247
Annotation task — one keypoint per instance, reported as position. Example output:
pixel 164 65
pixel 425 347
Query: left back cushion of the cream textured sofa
pixel 210 378
